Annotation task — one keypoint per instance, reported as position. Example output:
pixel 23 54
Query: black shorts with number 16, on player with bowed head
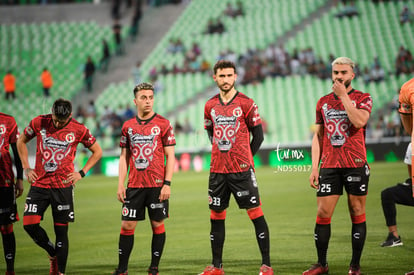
pixel 60 199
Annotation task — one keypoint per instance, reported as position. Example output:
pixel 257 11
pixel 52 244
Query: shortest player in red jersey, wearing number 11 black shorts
pixel 147 149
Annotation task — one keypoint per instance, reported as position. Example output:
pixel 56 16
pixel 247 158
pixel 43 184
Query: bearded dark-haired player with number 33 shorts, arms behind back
pixel 231 119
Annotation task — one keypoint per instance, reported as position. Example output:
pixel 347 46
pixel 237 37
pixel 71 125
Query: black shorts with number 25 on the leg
pixel 333 180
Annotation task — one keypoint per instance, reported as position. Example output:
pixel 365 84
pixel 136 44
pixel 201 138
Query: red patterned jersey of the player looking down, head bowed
pixel 56 149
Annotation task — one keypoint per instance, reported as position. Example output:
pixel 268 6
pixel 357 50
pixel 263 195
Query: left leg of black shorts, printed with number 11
pixel 133 209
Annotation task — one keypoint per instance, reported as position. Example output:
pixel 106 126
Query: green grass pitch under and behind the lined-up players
pixel 289 205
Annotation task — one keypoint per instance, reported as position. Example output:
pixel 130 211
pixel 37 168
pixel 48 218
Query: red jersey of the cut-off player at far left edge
pixel 9 134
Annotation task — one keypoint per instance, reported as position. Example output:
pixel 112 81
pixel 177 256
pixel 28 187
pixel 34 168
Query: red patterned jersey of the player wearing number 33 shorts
pixel 231 124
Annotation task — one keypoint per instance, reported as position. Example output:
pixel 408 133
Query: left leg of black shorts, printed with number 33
pixel 218 191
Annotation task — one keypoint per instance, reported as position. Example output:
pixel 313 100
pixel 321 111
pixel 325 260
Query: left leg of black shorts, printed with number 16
pixel 37 201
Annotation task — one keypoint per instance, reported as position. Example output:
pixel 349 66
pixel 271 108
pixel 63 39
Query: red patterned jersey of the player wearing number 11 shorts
pixel 146 140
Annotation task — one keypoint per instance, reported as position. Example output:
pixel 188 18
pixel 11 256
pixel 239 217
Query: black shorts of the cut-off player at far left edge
pixel 8 207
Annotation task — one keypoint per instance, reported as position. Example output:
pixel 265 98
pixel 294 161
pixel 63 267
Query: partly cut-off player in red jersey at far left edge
pixel 9 189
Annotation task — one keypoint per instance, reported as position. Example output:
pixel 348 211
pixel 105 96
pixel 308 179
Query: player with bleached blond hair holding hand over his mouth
pixel 338 147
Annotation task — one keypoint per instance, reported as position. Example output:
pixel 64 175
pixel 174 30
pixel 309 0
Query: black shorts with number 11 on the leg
pixel 137 199
